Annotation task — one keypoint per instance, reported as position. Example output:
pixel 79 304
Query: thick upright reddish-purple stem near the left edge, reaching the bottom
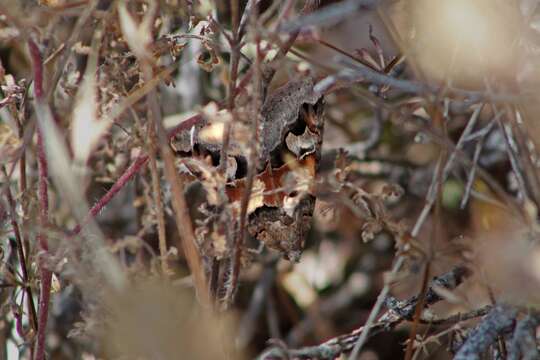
pixel 43 197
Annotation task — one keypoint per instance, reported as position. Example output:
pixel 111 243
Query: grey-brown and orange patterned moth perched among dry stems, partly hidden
pixel 283 194
